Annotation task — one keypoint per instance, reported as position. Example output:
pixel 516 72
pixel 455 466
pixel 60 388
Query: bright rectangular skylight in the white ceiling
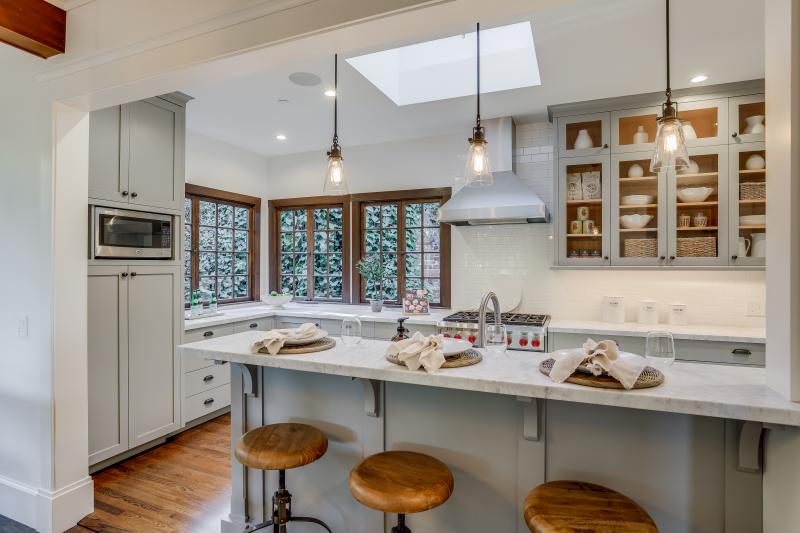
pixel 445 68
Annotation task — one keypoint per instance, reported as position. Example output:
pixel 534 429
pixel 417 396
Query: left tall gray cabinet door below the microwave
pixel 108 361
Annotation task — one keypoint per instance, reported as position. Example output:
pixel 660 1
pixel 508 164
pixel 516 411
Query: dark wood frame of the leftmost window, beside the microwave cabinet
pixel 196 193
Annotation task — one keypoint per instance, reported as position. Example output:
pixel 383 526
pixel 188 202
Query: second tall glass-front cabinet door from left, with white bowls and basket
pixel 639 211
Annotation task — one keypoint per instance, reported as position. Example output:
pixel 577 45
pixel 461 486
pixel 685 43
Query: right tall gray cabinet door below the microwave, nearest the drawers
pixel 154 370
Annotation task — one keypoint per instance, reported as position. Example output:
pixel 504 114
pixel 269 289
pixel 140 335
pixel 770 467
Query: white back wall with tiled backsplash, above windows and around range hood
pixel 524 252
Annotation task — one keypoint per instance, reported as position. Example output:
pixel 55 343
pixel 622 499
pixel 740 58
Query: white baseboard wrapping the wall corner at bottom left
pixel 45 510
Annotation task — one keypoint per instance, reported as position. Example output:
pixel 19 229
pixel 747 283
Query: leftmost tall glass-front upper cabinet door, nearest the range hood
pixel 584 203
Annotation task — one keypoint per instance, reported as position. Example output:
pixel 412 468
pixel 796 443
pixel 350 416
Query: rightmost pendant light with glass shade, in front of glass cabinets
pixel 670 152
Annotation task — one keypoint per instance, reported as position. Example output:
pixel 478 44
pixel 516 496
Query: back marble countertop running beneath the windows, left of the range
pixel 314 311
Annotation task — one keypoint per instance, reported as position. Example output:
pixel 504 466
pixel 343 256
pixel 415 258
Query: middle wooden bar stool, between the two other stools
pixel 402 483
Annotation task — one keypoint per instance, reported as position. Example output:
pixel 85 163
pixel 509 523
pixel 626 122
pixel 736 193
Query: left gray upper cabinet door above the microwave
pixel 108 176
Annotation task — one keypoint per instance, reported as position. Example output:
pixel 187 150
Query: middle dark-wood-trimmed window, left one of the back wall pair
pixel 310 243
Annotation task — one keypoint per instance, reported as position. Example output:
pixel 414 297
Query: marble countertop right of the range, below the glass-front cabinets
pixel 688 332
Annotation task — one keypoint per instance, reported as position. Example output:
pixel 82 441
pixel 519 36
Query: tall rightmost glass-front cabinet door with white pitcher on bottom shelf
pixel 748 201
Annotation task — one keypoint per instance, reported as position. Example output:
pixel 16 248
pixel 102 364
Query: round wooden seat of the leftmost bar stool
pixel 281 446
